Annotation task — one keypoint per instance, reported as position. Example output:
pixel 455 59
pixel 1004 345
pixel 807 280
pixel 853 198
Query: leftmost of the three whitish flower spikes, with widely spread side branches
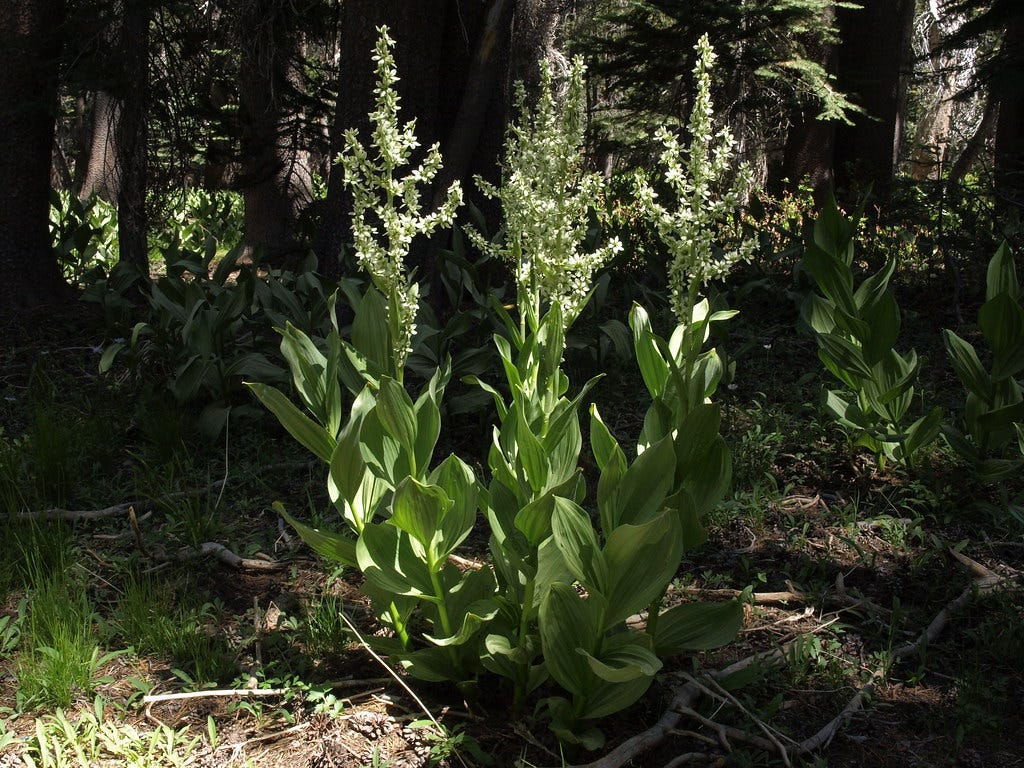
pixel 388 211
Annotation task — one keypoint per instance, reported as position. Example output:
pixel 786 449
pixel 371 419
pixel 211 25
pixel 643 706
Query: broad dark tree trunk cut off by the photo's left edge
pixel 30 46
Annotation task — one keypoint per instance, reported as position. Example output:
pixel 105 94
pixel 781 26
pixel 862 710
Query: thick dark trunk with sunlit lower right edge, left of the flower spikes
pixel 276 182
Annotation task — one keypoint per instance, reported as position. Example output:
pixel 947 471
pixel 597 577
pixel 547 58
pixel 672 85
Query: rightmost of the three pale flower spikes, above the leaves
pixel 704 219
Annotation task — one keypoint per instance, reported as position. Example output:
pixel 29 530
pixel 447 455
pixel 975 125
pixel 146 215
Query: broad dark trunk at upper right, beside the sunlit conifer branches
pixel 874 67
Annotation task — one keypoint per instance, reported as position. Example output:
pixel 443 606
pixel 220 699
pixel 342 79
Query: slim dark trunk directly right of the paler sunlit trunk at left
pixel 132 133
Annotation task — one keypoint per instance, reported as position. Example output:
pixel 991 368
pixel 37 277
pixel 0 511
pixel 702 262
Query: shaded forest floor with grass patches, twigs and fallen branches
pixel 849 572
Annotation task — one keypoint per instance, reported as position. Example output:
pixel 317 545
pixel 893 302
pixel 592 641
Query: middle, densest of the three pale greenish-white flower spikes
pixel 547 197
